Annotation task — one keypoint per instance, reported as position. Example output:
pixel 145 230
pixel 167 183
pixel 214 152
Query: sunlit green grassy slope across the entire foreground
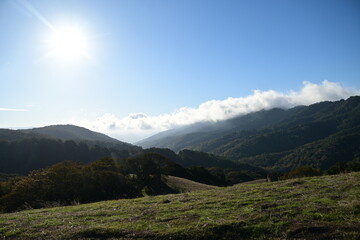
pixel 310 208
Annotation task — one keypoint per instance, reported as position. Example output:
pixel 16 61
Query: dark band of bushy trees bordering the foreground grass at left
pixel 108 178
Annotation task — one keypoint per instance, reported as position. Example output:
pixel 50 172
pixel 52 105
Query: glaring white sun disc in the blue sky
pixel 68 43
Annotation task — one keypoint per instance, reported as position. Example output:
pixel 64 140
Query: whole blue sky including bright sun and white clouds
pixel 133 68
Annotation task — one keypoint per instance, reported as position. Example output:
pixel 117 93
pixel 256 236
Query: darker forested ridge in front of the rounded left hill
pixel 34 153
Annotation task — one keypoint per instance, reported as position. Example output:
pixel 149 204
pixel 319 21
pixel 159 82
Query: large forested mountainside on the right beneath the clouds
pixel 318 135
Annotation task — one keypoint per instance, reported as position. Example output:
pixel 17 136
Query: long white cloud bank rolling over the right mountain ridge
pixel 137 126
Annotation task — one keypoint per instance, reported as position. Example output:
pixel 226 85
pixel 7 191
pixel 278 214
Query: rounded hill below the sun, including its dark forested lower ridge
pixel 22 151
